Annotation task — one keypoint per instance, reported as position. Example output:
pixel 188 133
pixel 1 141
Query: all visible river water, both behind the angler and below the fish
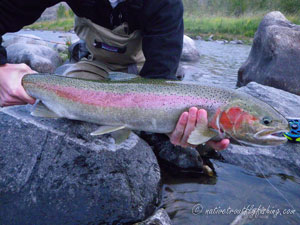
pixel 200 200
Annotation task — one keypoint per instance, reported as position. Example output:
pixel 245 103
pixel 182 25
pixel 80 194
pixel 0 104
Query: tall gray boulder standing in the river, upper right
pixel 275 55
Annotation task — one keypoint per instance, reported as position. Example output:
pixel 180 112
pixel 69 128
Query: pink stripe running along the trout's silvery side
pixel 130 100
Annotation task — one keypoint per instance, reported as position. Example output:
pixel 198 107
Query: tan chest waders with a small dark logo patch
pixel 111 50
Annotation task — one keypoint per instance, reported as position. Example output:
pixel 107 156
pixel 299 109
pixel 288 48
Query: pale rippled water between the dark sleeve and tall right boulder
pixel 218 64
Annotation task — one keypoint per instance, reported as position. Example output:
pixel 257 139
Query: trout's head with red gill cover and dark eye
pixel 252 122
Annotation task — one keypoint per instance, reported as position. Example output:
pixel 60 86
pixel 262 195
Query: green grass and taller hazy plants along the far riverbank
pixel 224 19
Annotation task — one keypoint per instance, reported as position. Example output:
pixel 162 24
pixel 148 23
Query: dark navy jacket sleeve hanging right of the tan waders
pixel 162 38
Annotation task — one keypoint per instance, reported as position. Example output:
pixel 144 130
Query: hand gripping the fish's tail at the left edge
pixel 11 89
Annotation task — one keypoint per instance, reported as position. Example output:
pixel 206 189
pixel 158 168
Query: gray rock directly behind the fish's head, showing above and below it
pixel 284 159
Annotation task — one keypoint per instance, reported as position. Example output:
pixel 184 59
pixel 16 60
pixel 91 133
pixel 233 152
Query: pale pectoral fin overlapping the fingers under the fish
pixel 201 134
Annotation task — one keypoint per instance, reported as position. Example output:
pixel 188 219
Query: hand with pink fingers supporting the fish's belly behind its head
pixel 187 123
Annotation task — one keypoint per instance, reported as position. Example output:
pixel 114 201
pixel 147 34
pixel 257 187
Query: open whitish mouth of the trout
pixel 271 135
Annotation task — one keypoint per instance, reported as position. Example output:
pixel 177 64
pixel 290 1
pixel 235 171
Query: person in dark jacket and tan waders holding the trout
pixel 135 36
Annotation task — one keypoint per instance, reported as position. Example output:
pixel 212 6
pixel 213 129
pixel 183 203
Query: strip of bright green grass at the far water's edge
pixel 222 27
